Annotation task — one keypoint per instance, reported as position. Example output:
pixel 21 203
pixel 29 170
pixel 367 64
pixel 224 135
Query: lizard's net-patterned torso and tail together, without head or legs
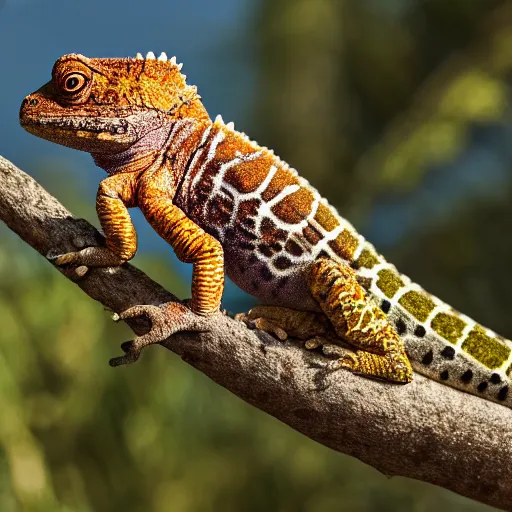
pixel 273 224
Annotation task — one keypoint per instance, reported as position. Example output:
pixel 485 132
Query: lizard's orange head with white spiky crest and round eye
pixel 107 105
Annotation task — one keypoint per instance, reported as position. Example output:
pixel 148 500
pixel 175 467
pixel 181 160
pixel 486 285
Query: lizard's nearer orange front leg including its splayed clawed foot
pixel 192 245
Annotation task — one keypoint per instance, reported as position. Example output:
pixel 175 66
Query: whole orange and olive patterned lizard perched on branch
pixel 226 204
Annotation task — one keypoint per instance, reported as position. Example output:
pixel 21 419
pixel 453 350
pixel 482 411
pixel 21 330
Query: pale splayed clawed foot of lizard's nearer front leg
pixel 166 320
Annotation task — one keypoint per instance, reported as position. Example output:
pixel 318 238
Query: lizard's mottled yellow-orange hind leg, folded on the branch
pixel 359 321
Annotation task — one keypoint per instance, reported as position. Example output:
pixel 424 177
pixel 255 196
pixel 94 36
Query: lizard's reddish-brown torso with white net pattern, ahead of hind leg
pixel 270 221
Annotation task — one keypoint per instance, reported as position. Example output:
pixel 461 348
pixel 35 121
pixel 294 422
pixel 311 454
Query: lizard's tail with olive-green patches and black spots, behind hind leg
pixel 441 343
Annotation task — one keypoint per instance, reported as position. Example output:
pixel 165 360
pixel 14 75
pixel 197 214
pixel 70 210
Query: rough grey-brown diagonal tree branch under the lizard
pixel 423 430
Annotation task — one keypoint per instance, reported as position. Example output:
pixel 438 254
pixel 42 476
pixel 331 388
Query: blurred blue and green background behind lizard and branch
pixel 399 111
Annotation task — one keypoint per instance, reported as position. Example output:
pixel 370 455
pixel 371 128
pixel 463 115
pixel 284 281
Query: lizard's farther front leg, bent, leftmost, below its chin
pixel 115 194
